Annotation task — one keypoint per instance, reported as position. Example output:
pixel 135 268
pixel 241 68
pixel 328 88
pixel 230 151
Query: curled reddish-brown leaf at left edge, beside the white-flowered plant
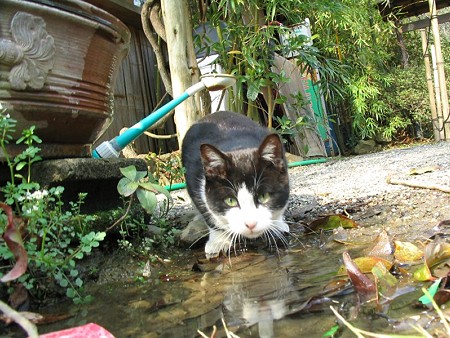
pixel 13 240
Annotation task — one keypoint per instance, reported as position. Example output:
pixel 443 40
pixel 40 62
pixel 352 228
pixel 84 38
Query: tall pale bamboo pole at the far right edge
pixel 440 69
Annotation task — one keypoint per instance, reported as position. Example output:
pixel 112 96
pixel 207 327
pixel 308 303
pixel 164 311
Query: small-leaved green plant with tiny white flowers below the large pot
pixel 54 238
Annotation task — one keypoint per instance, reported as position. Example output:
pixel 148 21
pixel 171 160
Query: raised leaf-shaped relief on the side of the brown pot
pixel 31 54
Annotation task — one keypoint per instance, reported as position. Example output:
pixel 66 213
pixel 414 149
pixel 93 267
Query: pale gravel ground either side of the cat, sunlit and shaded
pixel 357 187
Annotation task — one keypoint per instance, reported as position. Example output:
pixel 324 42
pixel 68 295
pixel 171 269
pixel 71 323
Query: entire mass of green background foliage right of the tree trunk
pixel 367 89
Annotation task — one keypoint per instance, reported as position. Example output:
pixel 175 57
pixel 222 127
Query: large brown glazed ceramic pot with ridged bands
pixel 58 63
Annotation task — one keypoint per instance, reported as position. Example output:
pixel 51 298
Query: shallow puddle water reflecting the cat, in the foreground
pixel 257 294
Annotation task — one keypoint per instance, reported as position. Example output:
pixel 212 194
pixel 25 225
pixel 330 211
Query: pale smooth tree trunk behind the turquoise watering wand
pixel 184 71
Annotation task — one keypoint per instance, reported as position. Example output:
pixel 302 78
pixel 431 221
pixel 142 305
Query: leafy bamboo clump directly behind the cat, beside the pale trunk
pixel 247 46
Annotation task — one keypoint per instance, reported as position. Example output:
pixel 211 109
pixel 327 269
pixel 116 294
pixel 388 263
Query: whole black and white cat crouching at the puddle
pixel 236 175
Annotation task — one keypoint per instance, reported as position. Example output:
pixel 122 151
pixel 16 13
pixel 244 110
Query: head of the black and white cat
pixel 247 190
